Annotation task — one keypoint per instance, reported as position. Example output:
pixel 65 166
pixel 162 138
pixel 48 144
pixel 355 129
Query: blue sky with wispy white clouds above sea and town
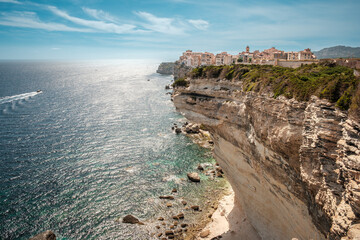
pixel 163 29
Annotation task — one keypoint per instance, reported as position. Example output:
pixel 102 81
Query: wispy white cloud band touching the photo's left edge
pixel 31 20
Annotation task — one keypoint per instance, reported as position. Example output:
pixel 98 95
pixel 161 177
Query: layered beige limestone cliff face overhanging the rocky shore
pixel 294 166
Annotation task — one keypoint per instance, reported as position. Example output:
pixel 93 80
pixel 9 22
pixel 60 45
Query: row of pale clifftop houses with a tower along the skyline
pixel 195 59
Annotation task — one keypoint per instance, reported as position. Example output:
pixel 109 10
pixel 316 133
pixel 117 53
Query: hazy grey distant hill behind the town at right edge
pixel 338 52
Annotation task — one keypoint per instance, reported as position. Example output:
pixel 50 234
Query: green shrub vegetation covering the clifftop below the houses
pixel 326 80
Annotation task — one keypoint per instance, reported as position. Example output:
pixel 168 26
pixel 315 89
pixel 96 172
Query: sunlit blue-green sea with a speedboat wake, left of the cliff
pixel 94 145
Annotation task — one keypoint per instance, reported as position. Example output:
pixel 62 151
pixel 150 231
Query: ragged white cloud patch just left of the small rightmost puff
pixel 161 25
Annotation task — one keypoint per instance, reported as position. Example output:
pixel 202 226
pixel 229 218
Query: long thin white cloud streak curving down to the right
pixel 98 25
